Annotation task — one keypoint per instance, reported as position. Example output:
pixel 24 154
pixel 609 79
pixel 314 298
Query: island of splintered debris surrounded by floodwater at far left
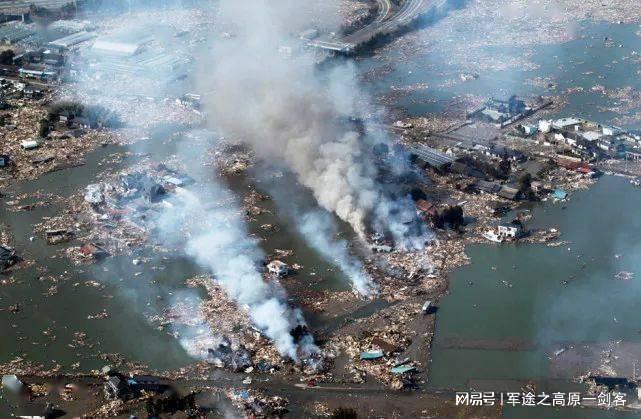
pixel 114 216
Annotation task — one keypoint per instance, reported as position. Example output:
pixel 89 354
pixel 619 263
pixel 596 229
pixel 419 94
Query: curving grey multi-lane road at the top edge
pixel 387 21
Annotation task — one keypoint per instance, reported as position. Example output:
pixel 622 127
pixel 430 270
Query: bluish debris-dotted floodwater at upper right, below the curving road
pixel 585 62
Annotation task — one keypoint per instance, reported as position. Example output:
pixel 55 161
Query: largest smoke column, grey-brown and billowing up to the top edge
pixel 294 116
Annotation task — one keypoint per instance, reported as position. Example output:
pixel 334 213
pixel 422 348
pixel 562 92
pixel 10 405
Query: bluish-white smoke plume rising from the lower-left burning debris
pixel 218 240
